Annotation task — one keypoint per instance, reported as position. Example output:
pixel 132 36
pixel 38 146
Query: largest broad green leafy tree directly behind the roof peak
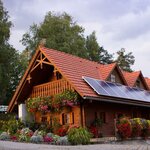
pixel 60 32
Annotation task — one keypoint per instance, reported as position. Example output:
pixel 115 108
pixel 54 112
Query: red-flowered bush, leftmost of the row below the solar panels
pixel 124 128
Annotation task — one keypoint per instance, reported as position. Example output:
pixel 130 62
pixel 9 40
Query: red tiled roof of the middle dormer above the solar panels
pixel 131 78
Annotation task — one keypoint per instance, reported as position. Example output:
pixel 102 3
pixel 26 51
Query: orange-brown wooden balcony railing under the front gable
pixel 51 88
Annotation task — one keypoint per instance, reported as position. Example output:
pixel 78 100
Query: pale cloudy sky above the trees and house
pixel 118 23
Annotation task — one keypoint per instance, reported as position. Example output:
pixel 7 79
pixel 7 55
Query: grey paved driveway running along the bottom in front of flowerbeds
pixel 5 145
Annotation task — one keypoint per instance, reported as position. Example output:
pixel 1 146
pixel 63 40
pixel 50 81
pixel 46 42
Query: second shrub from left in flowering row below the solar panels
pixel 136 127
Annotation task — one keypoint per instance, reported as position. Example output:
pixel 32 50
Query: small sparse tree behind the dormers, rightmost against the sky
pixel 125 61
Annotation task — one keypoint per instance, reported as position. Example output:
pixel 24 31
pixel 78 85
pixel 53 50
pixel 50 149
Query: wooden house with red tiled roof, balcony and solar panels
pixel 105 91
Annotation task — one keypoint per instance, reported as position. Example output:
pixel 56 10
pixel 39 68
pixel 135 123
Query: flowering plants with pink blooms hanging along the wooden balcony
pixel 52 104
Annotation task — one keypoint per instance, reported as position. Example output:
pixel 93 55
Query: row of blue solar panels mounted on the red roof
pixel 117 90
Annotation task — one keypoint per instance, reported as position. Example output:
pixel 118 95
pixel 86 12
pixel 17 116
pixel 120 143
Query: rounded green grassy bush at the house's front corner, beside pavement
pixel 79 136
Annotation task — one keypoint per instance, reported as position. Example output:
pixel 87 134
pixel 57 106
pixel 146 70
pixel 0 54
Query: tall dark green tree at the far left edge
pixel 10 66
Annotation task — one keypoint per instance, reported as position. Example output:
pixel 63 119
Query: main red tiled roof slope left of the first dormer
pixel 73 68
